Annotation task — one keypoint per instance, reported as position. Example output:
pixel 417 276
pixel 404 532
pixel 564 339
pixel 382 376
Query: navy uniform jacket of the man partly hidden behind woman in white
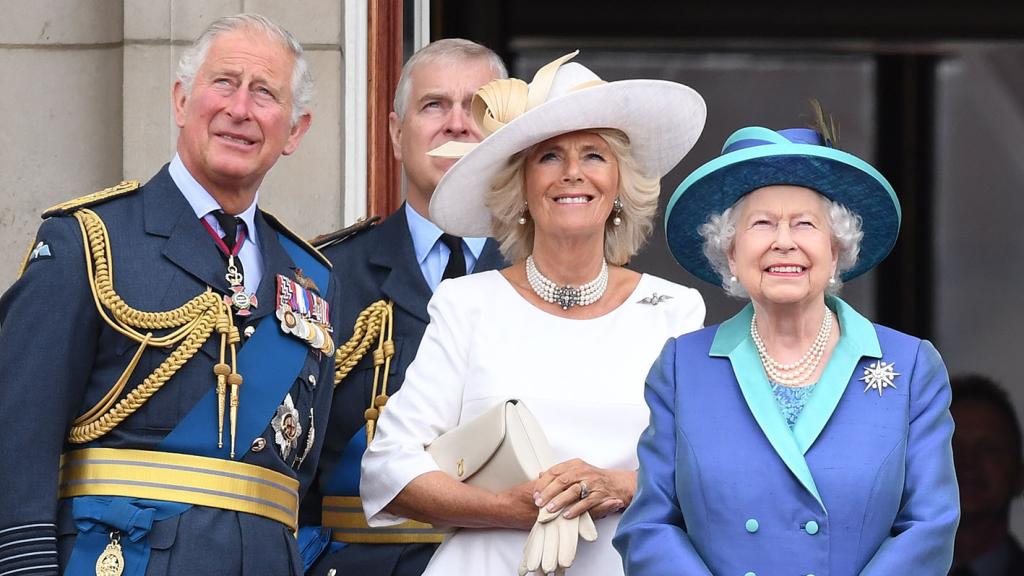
pixel 376 264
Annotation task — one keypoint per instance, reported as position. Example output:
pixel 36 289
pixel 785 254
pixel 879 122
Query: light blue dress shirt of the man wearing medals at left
pixel 204 205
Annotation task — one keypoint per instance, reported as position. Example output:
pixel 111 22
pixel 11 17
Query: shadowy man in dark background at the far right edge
pixel 990 472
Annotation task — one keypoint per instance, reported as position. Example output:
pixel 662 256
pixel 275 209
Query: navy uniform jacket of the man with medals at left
pixel 59 358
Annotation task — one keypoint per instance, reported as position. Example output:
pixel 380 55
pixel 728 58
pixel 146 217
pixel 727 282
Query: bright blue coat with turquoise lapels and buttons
pixel 864 484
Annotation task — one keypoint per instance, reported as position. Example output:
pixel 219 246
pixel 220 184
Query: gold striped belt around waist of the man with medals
pixel 181 478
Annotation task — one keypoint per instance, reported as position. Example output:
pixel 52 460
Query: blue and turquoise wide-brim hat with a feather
pixel 757 157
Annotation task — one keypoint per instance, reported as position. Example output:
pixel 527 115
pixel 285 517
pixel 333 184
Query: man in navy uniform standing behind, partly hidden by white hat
pixel 391 273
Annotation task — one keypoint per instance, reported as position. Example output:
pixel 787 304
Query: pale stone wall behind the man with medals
pixel 88 102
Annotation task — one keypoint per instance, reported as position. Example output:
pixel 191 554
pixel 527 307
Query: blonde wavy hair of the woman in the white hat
pixel 637 193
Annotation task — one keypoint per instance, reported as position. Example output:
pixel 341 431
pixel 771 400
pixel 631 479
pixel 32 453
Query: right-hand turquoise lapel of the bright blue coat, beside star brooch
pixel 859 340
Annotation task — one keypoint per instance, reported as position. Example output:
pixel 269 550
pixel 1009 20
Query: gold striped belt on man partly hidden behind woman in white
pixel 344 515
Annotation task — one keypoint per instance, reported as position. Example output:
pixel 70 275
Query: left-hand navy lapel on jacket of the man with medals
pixel 189 245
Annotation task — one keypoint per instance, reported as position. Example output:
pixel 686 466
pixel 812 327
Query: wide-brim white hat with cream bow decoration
pixel 662 119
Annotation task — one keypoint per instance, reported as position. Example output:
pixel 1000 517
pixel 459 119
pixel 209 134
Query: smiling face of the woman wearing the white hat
pixel 572 182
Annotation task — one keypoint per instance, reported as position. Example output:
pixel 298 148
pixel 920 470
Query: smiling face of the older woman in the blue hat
pixel 783 253
